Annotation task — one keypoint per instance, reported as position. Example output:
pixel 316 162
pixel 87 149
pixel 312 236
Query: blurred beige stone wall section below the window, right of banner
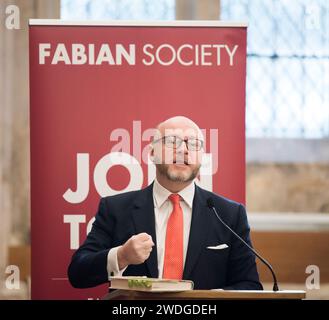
pixel 294 187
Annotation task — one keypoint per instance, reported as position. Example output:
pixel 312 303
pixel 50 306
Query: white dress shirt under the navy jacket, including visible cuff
pixel 162 210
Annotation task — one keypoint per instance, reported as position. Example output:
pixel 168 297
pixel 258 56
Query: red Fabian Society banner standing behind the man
pixel 96 93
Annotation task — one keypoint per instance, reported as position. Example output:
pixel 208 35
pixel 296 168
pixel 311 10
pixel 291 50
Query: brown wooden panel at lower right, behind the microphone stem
pixel 290 253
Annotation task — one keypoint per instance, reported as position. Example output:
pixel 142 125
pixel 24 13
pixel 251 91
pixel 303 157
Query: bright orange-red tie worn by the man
pixel 173 259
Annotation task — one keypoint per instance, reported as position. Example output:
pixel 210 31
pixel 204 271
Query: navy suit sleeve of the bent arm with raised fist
pixel 88 267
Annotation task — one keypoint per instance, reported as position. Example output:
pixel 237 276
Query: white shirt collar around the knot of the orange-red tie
pixel 161 194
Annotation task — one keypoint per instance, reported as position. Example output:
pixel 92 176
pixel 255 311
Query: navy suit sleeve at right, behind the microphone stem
pixel 242 270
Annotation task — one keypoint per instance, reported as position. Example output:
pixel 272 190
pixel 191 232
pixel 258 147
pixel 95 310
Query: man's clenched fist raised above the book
pixel 136 250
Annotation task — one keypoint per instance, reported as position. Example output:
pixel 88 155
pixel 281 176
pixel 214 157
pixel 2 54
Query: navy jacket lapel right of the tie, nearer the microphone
pixel 198 232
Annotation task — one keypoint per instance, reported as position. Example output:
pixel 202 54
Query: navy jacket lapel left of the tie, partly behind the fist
pixel 144 220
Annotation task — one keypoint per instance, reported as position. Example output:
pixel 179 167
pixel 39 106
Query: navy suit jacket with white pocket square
pixel 121 216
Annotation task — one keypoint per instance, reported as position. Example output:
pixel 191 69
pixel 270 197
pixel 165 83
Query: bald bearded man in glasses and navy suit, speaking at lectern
pixel 167 230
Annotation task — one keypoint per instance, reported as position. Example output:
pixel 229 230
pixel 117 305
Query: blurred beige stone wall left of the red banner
pixel 14 122
